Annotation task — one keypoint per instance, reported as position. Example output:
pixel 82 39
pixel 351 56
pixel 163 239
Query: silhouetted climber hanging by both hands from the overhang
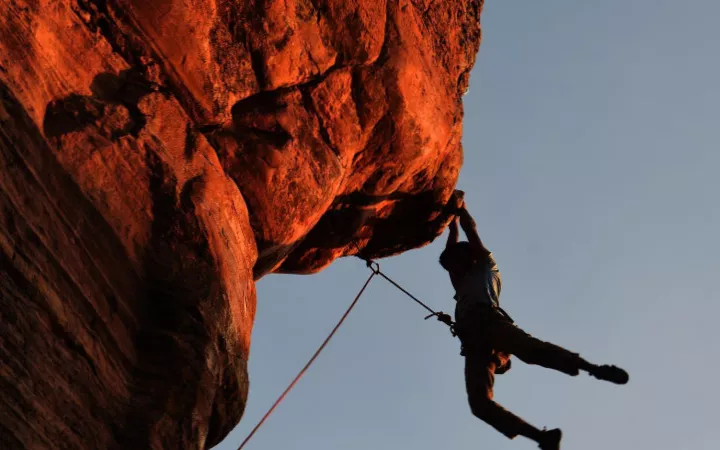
pixel 489 336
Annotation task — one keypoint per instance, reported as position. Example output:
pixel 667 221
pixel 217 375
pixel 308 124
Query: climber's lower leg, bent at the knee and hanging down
pixel 479 381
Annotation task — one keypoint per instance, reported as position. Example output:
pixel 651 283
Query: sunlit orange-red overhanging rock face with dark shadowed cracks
pixel 158 157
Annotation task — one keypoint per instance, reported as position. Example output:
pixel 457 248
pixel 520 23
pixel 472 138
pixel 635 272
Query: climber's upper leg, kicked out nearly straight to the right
pixel 506 337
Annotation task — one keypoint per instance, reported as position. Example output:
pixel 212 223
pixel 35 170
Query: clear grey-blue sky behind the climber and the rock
pixel 592 143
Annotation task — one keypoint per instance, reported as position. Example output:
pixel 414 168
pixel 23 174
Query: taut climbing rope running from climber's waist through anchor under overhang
pixel 375 269
